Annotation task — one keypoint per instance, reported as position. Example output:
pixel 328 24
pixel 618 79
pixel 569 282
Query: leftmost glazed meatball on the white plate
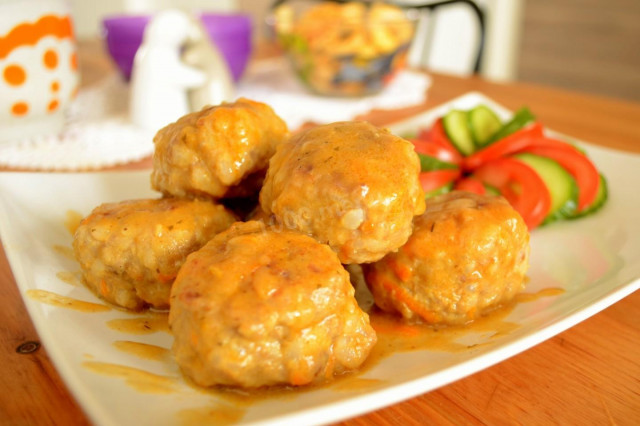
pixel 130 252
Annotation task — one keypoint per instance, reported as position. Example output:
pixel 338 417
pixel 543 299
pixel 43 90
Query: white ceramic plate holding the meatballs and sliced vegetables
pixel 596 261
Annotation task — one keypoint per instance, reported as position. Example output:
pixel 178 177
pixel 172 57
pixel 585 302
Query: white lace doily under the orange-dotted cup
pixel 97 133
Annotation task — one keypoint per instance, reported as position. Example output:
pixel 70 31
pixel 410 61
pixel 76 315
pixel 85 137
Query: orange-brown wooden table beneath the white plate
pixel 589 374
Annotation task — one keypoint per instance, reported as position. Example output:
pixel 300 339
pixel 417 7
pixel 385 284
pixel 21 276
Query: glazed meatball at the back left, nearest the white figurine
pixel 220 151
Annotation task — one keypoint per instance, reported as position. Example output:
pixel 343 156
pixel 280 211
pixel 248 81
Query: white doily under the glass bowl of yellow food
pixel 273 82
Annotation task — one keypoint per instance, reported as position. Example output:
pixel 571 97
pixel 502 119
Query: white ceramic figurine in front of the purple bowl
pixel 176 70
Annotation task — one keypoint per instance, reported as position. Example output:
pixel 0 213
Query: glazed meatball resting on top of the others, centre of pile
pixel 350 185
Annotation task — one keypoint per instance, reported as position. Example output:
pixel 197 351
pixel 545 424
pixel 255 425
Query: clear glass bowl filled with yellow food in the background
pixel 344 49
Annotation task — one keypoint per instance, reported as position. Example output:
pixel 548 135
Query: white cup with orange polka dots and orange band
pixel 38 67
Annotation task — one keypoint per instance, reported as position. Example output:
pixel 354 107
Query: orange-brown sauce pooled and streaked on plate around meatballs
pixel 229 405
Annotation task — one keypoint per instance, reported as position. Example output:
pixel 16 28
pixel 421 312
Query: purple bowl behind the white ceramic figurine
pixel 231 33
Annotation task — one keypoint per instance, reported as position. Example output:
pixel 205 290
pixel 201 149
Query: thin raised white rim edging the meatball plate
pixel 327 412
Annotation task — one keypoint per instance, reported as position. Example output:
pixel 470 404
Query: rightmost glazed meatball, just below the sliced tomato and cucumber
pixel 468 253
